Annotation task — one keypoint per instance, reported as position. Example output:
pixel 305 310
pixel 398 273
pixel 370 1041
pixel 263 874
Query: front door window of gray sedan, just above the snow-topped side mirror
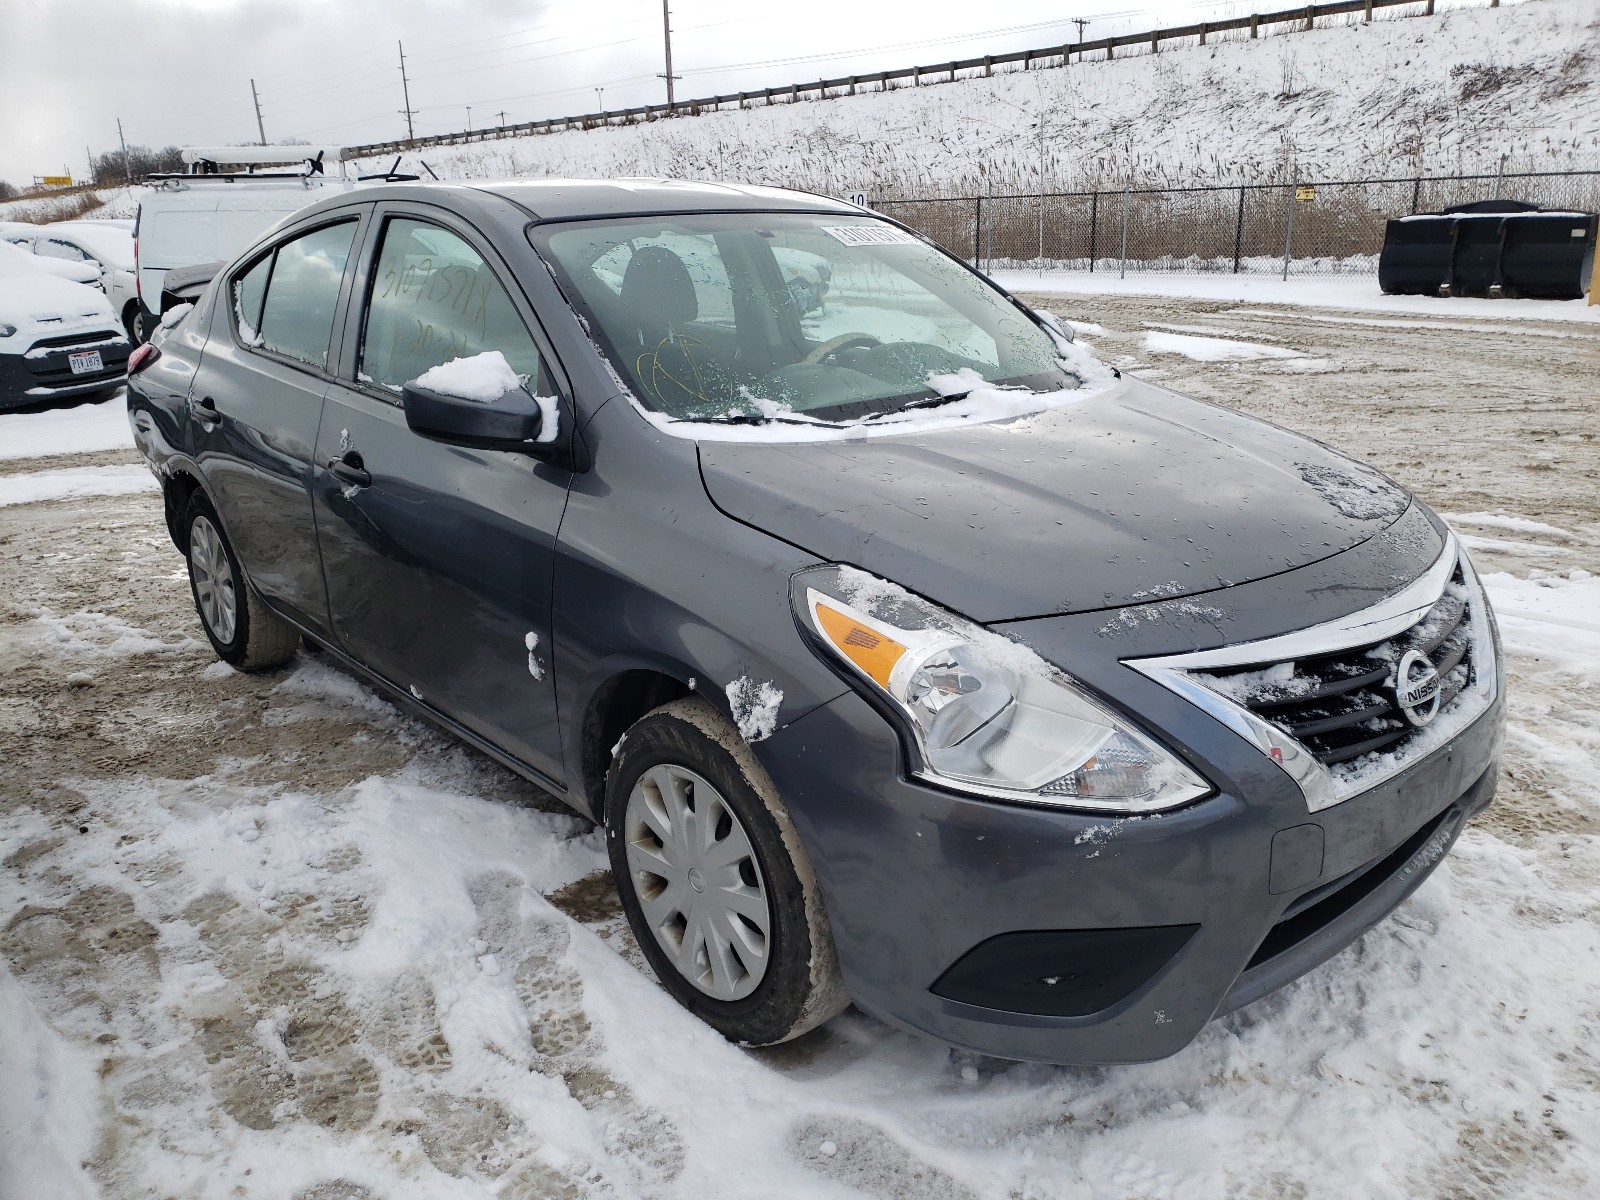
pixel 434 298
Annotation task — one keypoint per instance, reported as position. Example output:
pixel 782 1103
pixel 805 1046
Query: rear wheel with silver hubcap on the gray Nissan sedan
pixel 242 630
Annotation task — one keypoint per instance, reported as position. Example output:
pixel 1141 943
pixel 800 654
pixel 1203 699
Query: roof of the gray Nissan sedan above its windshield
pixel 575 199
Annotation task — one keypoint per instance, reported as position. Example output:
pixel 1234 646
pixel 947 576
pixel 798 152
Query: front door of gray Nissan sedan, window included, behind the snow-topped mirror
pixel 439 559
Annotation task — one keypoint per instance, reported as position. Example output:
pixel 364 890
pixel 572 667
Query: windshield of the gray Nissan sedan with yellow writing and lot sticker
pixel 790 316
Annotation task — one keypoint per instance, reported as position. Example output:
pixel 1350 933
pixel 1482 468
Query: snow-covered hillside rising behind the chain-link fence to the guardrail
pixel 1406 95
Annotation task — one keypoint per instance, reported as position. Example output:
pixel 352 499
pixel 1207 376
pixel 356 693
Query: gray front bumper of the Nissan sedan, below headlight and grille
pixel 916 879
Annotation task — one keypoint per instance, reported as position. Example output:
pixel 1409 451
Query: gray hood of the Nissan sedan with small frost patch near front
pixel 1132 497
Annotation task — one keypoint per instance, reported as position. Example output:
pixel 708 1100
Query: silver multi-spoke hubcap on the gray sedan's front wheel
pixel 698 882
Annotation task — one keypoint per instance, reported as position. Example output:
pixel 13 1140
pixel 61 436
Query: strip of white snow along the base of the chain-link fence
pixel 1322 292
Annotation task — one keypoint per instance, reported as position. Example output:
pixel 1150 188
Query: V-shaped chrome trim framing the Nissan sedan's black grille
pixel 1394 615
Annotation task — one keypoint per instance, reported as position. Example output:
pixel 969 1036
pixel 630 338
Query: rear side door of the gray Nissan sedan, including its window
pixel 257 406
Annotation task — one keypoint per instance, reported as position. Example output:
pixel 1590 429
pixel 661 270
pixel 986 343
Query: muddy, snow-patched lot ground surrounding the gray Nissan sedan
pixel 266 937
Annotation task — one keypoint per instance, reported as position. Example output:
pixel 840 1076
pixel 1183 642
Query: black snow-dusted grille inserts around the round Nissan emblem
pixel 1343 706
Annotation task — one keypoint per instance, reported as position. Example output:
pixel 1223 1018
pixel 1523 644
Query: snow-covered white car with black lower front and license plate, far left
pixel 57 338
